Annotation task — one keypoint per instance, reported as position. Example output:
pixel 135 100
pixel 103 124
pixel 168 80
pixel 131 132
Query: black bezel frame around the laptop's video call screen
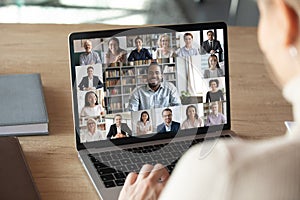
pixel 139 31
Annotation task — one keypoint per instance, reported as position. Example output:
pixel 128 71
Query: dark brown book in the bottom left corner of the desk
pixel 16 179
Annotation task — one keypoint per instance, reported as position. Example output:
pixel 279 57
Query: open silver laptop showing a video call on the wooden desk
pixel 146 95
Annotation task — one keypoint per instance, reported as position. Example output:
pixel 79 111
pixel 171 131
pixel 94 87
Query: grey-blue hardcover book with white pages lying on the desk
pixel 22 105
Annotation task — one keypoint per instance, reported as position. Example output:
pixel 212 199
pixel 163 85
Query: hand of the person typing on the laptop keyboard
pixel 147 185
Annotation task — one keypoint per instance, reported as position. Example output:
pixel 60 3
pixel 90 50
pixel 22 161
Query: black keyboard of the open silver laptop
pixel 114 166
